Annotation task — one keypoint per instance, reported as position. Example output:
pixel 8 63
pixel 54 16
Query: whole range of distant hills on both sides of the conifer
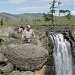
pixel 28 16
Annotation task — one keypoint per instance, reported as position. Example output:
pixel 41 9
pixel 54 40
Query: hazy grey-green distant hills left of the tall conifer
pixel 24 16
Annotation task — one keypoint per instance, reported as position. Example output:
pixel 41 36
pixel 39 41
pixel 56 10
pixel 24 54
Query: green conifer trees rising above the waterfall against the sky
pixel 50 15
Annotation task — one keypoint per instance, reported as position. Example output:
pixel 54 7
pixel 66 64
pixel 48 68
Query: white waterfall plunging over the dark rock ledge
pixel 62 55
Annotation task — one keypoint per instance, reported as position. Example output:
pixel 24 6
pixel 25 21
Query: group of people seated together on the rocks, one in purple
pixel 26 33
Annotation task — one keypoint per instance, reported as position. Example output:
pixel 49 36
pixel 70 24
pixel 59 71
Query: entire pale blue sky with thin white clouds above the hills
pixel 34 6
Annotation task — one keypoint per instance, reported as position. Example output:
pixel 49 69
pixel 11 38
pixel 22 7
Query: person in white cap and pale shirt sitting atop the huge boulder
pixel 28 34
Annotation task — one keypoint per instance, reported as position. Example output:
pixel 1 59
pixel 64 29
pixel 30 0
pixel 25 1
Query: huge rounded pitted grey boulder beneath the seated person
pixel 25 56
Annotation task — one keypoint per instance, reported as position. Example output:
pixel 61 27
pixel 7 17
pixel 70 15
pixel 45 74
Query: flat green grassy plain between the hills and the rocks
pixel 42 22
